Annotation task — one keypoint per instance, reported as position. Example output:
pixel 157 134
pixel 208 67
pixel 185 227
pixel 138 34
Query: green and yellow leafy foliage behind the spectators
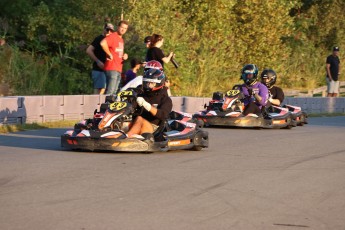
pixel 212 40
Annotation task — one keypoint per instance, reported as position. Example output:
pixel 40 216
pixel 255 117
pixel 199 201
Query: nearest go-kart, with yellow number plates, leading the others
pixel 113 120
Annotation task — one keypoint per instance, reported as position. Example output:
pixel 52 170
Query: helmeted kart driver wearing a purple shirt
pixel 256 93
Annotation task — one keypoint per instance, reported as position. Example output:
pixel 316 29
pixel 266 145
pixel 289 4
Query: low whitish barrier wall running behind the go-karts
pixel 28 109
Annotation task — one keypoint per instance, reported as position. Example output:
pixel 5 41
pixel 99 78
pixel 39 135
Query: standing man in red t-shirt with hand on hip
pixel 113 46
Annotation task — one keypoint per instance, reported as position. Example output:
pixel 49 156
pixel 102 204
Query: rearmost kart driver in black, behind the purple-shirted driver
pixel 276 94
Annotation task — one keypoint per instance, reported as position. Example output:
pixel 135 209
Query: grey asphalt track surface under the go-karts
pixel 246 179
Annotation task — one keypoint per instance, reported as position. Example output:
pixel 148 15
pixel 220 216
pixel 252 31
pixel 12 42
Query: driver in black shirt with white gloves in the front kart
pixel 155 102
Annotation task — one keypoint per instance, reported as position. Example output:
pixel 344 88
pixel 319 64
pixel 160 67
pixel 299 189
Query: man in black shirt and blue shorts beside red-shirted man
pixel 98 55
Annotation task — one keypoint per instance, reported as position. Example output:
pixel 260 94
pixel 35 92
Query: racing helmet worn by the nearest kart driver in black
pixel 153 75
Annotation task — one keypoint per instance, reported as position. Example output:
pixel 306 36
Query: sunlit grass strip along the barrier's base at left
pixel 33 126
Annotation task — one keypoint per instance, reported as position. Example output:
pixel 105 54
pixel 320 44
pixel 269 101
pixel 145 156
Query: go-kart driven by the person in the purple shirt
pixel 227 111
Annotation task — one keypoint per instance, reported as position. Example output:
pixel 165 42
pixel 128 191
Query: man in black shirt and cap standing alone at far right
pixel 332 68
